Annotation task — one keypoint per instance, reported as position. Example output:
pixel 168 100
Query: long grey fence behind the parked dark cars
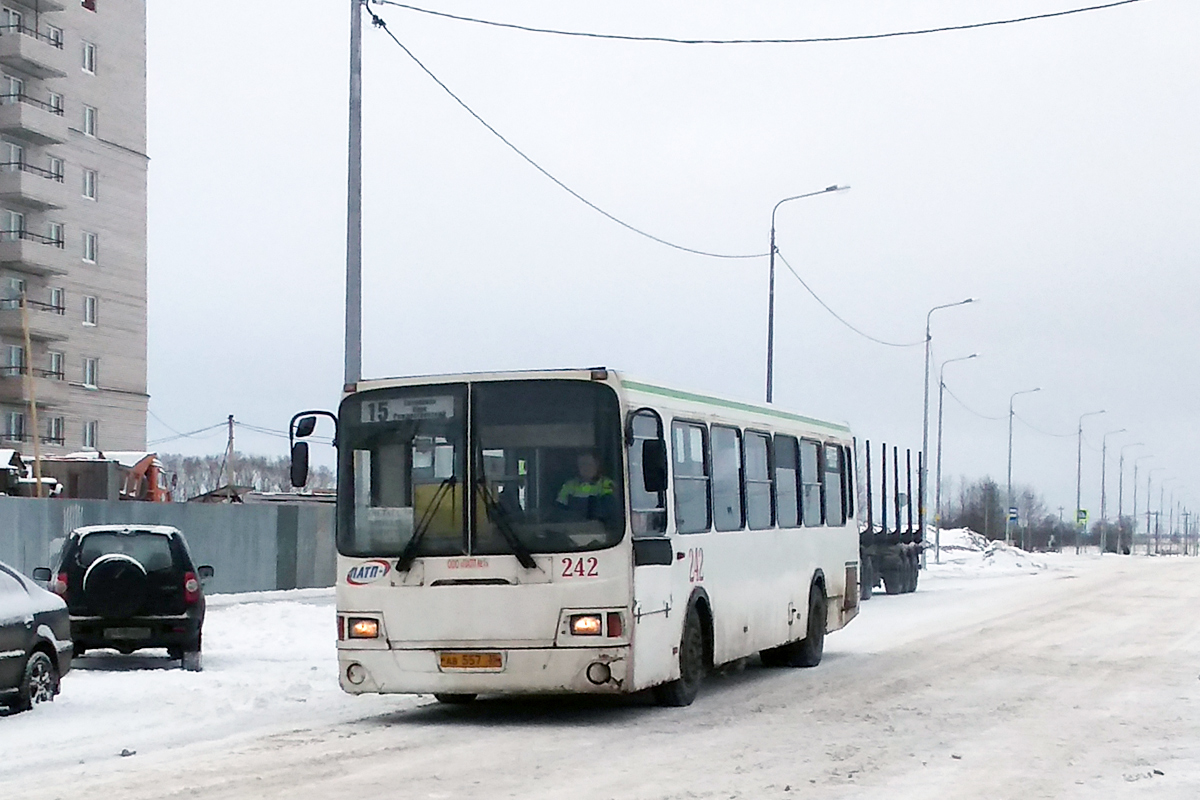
pixel 253 548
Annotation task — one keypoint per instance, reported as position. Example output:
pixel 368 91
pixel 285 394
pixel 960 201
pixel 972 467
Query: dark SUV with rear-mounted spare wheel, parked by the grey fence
pixel 131 587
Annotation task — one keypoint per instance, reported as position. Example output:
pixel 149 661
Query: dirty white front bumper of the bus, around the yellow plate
pixel 535 671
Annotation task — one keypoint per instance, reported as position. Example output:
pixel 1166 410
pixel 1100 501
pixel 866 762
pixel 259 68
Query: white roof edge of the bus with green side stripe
pixel 611 377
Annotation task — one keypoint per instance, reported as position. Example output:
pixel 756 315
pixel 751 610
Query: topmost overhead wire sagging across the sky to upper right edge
pixel 812 40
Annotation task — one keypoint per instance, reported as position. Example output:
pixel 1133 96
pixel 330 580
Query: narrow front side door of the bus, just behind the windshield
pixel 656 613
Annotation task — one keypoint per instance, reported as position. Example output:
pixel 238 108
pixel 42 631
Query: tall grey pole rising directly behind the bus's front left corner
pixel 355 207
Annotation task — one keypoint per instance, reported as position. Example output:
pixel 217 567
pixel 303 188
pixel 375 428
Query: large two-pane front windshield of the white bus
pixel 542 473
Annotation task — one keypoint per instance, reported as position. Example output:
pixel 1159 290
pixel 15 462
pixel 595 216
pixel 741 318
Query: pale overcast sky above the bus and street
pixel 1049 169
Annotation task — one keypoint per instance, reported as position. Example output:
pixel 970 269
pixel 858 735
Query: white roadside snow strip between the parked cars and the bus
pixel 269 665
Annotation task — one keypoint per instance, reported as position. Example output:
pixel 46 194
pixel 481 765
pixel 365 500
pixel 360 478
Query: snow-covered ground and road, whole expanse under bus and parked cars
pixel 1005 677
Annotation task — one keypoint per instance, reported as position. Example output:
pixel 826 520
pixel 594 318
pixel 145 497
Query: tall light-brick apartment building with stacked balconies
pixel 74 225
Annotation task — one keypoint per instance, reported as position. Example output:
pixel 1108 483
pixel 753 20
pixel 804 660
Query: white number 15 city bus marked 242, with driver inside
pixel 724 530
